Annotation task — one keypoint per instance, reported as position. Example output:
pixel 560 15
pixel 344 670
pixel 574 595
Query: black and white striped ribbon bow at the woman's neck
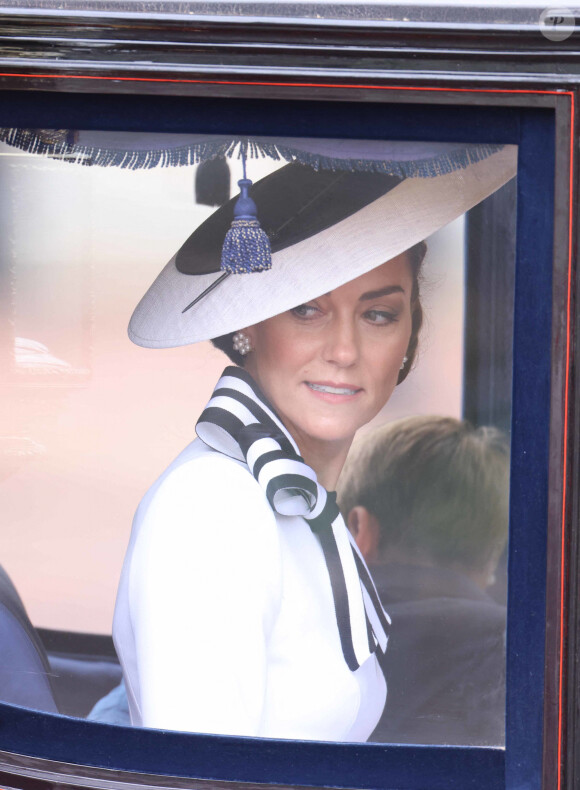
pixel 239 422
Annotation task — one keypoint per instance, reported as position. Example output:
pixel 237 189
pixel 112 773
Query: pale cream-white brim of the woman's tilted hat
pixel 410 212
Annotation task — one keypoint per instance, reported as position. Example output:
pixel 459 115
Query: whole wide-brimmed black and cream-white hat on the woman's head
pixel 326 227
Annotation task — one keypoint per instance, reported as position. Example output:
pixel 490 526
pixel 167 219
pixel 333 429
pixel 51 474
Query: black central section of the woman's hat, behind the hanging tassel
pixel 294 203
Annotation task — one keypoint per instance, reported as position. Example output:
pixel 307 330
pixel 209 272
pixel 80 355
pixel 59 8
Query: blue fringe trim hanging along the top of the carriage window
pixel 59 144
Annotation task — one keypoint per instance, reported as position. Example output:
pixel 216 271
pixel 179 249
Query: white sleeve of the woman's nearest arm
pixel 205 588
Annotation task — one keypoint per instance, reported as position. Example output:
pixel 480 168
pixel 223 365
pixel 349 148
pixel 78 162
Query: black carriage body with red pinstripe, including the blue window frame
pixel 370 71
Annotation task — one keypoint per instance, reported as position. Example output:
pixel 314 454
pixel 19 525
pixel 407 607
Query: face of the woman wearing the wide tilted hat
pixel 329 366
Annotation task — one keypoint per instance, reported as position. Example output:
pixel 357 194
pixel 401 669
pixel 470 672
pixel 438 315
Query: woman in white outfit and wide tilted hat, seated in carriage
pixel 244 607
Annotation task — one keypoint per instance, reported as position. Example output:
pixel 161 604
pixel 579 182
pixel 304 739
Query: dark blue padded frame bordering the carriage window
pixel 389 767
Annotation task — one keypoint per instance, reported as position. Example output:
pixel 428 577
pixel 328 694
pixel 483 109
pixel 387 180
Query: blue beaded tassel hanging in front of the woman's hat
pixel 246 246
